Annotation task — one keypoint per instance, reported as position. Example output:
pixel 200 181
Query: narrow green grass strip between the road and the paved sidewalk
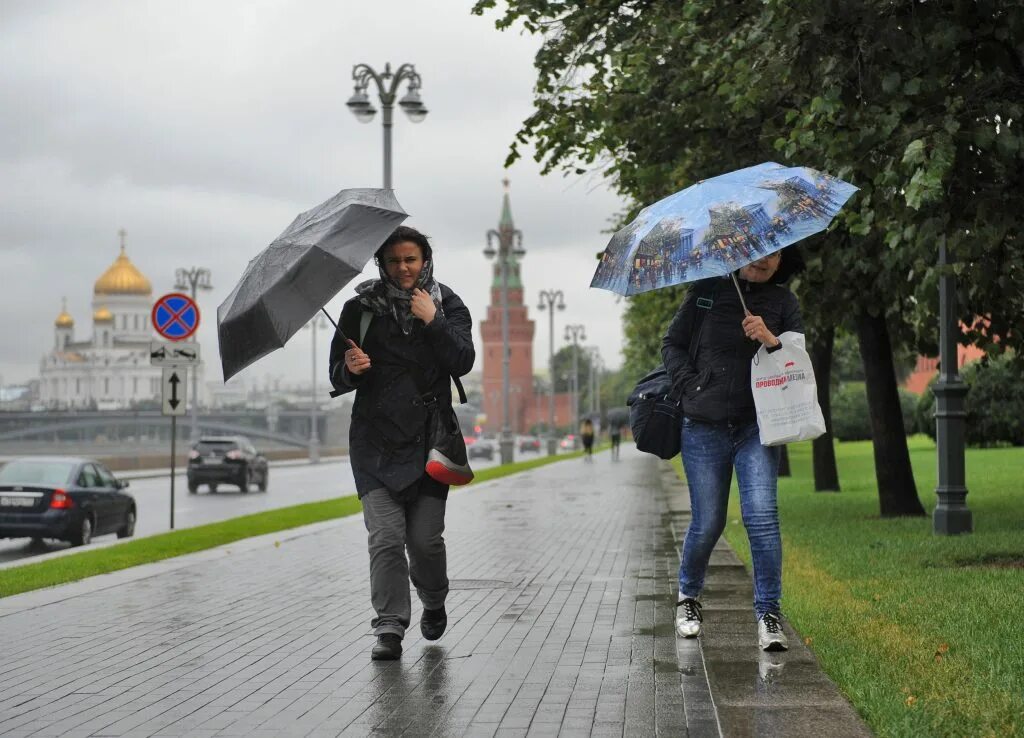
pixel 90 562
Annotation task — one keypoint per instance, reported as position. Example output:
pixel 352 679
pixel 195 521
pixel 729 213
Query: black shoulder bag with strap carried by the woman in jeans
pixel 656 406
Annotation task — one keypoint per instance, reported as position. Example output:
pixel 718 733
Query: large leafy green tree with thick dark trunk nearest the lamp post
pixel 658 95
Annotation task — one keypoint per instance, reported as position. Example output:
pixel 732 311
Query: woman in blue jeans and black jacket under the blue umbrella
pixel 720 432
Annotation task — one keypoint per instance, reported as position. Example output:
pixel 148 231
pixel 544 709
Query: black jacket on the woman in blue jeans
pixel 716 386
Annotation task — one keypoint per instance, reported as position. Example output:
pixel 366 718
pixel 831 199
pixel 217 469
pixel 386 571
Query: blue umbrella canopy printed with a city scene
pixel 719 226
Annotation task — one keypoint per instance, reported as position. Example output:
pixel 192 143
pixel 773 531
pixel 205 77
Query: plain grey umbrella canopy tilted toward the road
pixel 322 251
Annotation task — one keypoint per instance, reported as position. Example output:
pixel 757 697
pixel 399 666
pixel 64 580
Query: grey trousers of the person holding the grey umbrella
pixel 394 529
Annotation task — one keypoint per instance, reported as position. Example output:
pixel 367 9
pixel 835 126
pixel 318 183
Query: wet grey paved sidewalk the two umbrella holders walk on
pixel 561 624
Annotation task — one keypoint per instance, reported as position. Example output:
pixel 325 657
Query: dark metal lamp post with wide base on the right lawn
pixel 952 515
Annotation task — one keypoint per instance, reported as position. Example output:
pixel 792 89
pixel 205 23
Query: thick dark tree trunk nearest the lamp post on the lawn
pixel 898 492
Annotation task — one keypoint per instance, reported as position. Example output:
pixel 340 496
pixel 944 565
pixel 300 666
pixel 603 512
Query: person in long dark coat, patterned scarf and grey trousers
pixel 415 334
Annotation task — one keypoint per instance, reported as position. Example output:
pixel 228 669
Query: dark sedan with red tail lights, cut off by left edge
pixel 63 498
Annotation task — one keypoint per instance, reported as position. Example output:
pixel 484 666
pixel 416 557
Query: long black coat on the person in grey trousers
pixel 388 441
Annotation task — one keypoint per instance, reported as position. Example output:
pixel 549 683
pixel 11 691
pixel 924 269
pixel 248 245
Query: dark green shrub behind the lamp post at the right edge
pixel 995 404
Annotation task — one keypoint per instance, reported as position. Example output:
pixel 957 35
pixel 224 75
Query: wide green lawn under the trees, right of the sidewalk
pixel 924 634
